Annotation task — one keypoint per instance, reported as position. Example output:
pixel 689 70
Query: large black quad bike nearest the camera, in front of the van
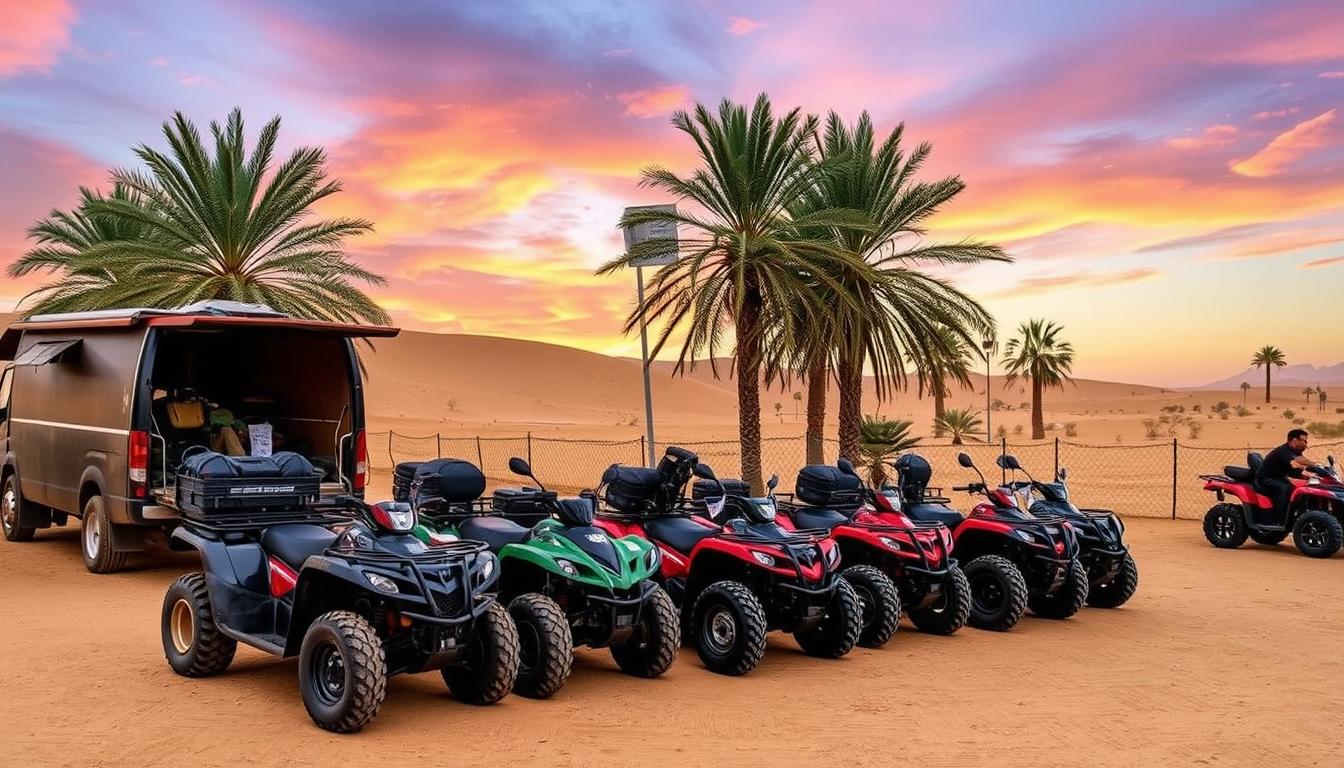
pixel 357 598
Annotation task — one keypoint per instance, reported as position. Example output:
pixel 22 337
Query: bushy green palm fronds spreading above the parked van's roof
pixel 222 225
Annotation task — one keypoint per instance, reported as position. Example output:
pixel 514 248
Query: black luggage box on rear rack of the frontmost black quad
pixel 210 484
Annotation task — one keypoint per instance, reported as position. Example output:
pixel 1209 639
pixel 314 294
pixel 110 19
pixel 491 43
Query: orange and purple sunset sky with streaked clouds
pixel 1169 177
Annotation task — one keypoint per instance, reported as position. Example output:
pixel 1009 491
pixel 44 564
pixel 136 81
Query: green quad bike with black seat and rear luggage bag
pixel 568 583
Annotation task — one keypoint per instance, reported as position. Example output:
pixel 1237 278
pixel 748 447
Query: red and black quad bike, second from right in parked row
pixel 1014 560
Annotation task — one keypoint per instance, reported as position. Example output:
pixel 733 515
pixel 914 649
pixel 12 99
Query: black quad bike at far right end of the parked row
pixel 1112 572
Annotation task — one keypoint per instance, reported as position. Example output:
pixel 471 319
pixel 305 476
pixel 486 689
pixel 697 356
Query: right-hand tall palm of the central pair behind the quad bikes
pixel 900 309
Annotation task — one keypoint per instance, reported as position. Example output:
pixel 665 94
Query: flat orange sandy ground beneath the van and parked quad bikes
pixel 1224 658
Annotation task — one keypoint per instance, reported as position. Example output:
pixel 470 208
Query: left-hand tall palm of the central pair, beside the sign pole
pixel 747 264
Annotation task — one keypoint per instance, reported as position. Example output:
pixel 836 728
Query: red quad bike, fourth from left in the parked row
pixel 877 539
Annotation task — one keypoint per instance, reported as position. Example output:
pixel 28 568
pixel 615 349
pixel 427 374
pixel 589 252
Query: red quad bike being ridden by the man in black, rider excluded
pixel 1314 516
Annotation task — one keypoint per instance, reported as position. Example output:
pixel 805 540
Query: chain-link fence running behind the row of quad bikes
pixel 1150 481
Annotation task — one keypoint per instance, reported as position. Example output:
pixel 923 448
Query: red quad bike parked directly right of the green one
pixel 739 580
